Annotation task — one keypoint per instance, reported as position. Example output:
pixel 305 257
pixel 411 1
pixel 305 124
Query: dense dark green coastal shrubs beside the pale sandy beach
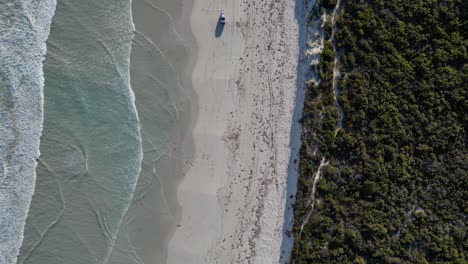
pixel 396 187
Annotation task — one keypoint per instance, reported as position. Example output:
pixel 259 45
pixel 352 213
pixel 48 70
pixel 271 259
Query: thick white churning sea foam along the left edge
pixel 24 28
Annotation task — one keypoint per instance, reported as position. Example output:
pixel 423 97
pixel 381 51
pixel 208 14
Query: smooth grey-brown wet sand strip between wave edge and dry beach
pixel 162 57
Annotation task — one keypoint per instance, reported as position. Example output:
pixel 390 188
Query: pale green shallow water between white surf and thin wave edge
pixel 91 144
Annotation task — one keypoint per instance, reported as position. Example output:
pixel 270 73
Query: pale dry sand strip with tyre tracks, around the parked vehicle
pixel 233 196
